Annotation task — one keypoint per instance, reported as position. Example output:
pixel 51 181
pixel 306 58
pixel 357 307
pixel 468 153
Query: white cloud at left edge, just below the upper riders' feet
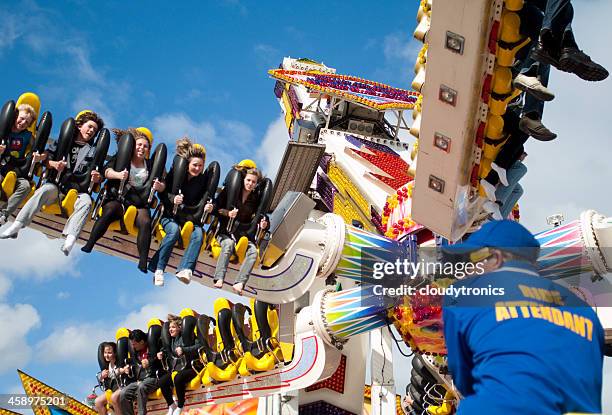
pixel 33 255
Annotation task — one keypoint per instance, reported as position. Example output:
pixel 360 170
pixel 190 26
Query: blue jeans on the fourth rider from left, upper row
pixel 173 233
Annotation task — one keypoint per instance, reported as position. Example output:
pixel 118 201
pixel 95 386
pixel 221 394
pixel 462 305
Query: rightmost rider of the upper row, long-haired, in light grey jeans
pixel 243 213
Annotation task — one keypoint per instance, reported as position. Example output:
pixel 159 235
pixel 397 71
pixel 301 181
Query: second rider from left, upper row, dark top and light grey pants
pixel 81 154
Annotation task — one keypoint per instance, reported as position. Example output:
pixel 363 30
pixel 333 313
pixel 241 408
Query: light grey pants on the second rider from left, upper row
pixel 47 194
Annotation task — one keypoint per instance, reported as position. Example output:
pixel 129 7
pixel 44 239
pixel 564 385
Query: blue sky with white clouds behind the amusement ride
pixel 200 69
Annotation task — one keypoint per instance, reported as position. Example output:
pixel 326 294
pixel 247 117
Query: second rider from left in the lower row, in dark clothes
pixel 145 373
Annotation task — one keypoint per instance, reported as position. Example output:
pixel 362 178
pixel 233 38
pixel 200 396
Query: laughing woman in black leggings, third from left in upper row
pixel 115 205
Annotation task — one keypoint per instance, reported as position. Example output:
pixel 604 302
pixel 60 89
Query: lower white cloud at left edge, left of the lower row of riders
pixel 16 322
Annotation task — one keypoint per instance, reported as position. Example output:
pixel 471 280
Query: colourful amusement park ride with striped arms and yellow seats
pixel 357 174
